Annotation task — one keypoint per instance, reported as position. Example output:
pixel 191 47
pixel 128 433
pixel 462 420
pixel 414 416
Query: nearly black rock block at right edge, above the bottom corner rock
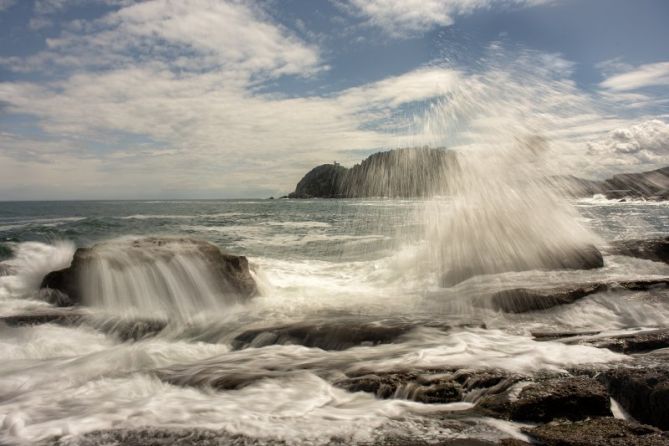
pixel 642 392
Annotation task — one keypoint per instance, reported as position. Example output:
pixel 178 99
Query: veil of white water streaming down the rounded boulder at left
pixel 173 279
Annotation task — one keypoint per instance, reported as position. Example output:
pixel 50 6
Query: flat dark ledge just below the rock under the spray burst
pixel 521 300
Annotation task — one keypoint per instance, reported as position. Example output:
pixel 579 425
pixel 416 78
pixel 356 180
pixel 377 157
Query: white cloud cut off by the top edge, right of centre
pixel 402 17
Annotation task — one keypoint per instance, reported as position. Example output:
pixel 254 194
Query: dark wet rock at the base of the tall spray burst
pixel 585 257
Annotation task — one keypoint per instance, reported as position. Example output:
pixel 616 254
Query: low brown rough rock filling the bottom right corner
pixel 598 432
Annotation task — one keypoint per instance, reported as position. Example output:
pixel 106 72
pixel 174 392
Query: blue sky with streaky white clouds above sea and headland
pixel 124 99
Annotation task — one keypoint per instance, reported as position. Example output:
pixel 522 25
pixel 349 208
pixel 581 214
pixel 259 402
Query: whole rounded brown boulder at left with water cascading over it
pixel 152 277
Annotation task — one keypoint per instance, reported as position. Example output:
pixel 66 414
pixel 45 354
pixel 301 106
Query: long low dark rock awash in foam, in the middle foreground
pixel 327 335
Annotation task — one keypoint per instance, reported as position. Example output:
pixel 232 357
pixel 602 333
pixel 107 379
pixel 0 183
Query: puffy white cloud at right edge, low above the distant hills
pixel 643 143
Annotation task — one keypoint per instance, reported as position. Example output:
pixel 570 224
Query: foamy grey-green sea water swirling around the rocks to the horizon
pixel 342 263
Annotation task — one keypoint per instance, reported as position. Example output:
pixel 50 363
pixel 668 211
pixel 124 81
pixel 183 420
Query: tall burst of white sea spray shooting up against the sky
pixel 501 214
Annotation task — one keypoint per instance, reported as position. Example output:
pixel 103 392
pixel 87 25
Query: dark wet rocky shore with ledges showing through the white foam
pixel 618 403
